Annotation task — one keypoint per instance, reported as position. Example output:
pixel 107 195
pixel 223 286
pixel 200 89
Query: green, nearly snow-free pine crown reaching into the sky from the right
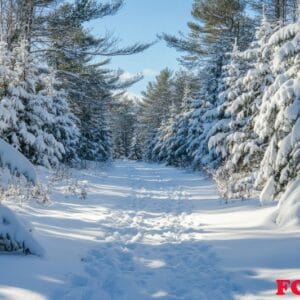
pixel 216 24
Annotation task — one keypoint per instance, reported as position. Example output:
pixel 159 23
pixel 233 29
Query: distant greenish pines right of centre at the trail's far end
pixel 158 114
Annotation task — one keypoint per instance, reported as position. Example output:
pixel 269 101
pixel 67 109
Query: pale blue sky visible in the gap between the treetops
pixel 141 21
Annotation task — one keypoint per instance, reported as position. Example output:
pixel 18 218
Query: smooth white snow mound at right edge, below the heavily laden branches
pixel 288 212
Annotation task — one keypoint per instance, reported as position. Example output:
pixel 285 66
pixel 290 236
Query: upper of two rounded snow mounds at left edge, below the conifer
pixel 16 162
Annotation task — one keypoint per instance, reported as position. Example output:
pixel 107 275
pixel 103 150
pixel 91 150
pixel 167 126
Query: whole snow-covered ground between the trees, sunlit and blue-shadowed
pixel 146 231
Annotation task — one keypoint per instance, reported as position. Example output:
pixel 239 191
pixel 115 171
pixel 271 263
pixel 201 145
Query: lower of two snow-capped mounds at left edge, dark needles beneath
pixel 14 236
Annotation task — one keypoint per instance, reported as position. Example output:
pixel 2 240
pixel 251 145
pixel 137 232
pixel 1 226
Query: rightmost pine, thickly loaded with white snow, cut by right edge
pixel 278 122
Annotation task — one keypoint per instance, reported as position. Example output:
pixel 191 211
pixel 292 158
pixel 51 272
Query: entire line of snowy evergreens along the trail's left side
pixel 56 90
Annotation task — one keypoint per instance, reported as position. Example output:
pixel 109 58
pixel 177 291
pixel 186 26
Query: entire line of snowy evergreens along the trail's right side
pixel 235 110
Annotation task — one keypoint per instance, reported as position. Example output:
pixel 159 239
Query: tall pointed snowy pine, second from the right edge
pixel 245 149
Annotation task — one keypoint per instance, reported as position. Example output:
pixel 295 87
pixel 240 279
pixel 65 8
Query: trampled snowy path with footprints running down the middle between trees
pixel 150 239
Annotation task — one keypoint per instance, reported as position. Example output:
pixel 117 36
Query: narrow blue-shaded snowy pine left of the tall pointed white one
pixel 208 115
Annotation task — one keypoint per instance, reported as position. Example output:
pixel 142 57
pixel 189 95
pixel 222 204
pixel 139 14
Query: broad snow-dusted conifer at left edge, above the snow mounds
pixel 35 117
